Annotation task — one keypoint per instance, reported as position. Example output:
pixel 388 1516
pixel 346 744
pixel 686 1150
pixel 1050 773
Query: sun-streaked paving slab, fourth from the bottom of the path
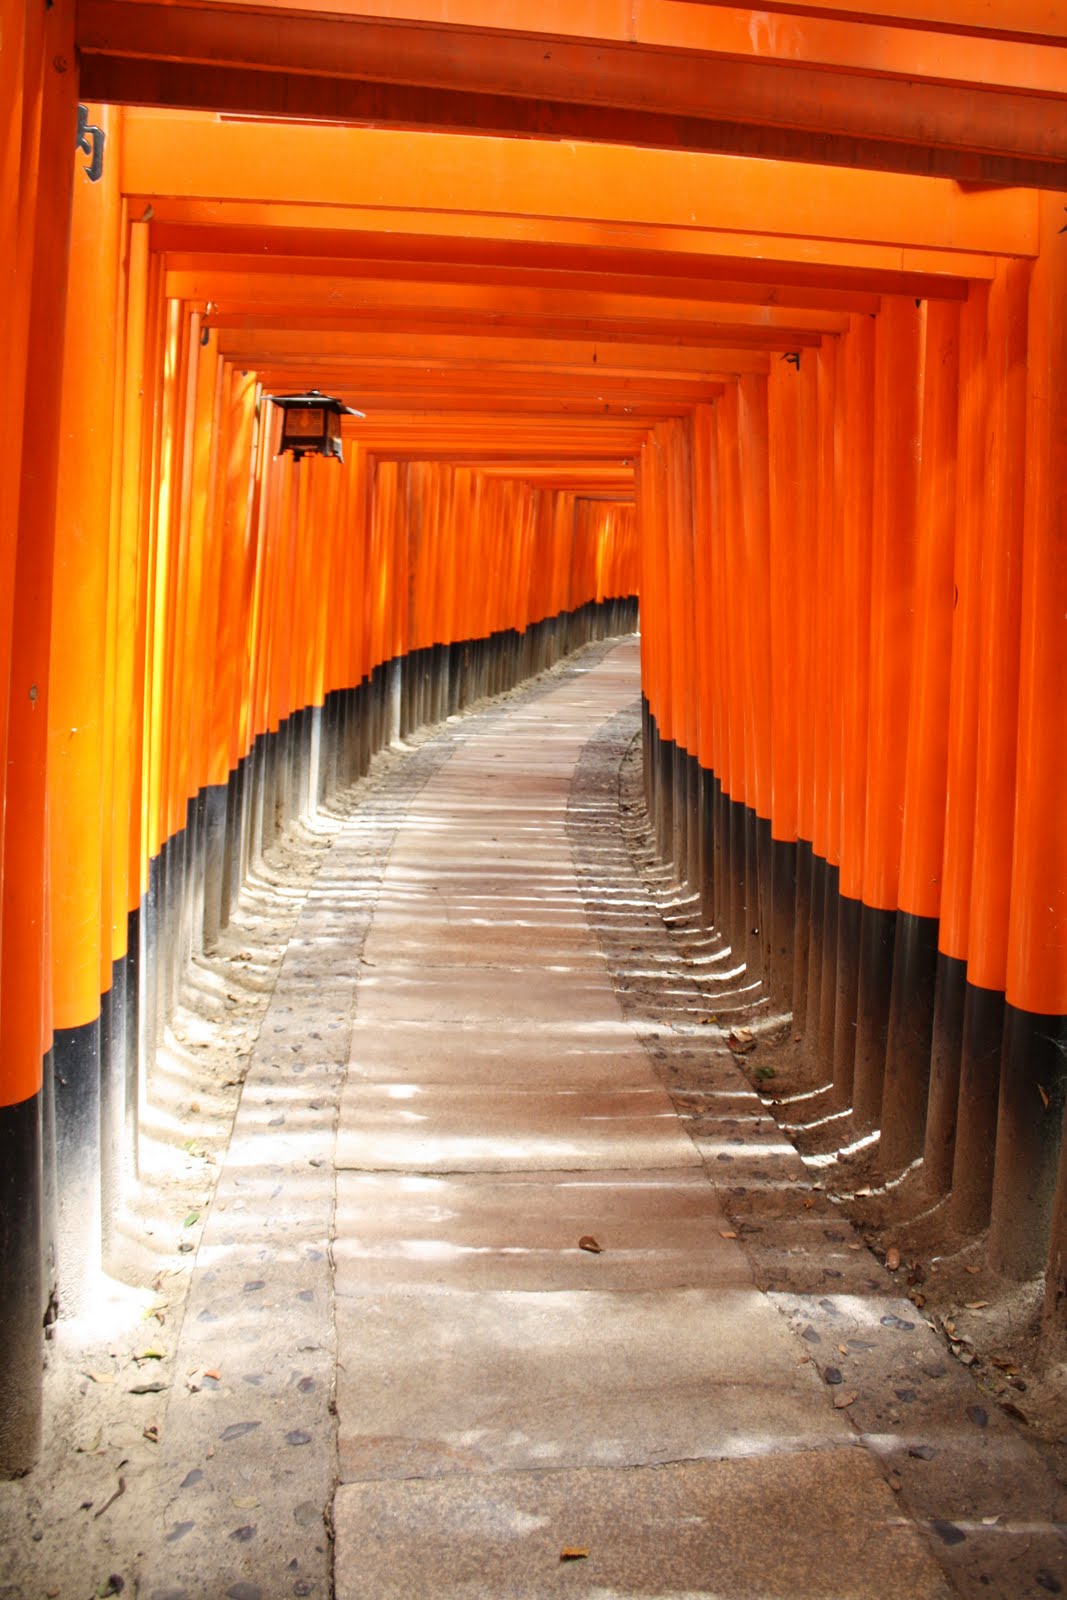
pixel 490 1129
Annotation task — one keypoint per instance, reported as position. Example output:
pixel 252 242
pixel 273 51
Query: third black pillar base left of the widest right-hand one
pixel 906 1089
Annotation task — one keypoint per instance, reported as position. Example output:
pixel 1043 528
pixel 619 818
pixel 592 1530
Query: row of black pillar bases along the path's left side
pixel 70 1154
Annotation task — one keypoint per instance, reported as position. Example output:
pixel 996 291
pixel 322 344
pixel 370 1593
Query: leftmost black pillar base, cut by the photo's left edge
pixel 22 1287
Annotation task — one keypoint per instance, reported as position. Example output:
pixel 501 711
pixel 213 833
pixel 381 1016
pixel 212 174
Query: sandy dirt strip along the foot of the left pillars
pixel 71 1526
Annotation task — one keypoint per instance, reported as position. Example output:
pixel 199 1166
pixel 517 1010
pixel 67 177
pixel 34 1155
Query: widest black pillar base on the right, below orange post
pixel 1029 1137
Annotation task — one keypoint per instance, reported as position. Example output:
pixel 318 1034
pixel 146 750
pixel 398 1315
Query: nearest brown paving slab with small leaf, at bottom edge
pixel 761 1529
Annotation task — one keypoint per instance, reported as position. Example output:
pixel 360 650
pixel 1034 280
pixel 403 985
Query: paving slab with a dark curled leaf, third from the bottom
pixel 522 1233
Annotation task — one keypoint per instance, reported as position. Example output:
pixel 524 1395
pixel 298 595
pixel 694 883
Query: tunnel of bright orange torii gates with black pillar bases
pixel 761 321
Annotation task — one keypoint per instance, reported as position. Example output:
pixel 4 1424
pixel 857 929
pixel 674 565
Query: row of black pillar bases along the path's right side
pixel 946 1079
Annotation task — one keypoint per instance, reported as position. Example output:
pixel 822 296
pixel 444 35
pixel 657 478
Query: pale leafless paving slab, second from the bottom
pixel 492 1382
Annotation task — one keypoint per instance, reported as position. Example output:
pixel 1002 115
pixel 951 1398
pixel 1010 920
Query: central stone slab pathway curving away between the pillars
pixel 521 1415
